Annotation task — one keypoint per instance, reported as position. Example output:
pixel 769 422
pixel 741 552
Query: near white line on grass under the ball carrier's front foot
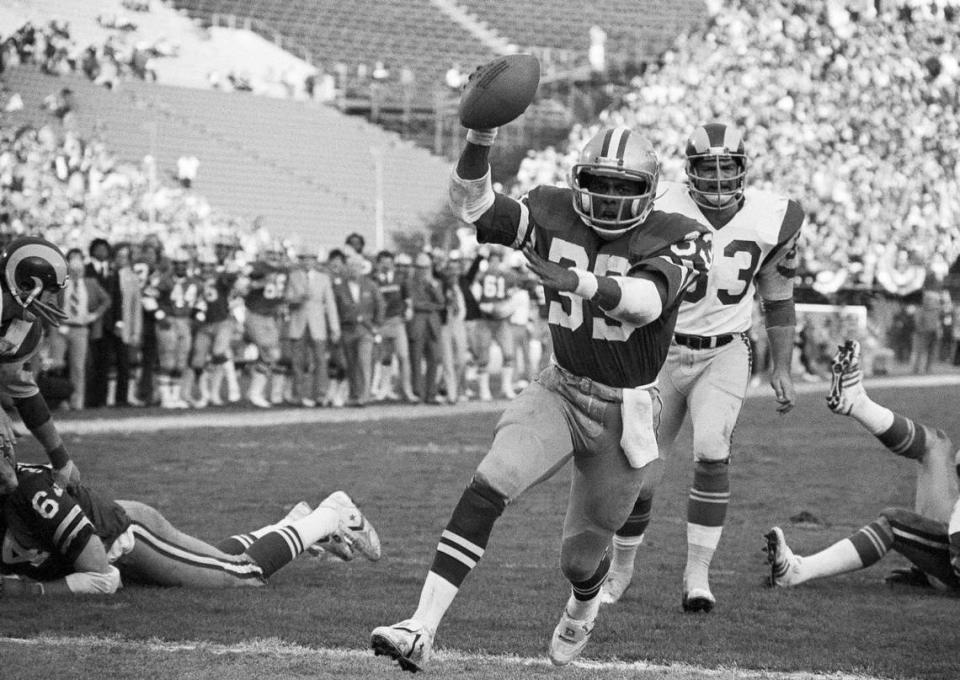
pixel 274 647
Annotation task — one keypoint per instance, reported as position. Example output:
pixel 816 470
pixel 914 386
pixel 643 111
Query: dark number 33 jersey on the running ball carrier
pixel 586 341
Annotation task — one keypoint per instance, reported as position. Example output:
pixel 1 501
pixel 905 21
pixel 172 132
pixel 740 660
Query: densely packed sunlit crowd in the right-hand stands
pixel 849 107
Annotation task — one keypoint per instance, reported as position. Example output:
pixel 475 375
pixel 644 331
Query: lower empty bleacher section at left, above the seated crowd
pixel 308 169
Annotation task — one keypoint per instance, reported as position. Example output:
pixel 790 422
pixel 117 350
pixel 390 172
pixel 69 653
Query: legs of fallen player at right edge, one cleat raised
pixel 928 534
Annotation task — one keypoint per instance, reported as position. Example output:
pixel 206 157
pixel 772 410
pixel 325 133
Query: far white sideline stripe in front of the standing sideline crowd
pixel 187 420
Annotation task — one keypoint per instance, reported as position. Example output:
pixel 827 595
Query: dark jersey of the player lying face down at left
pixel 48 527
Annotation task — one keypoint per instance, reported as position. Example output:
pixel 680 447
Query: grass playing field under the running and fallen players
pixel 314 618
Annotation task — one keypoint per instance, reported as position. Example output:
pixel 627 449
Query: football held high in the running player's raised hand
pixel 499 91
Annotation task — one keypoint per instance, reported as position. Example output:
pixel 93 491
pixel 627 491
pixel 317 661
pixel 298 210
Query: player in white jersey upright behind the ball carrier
pixel 707 371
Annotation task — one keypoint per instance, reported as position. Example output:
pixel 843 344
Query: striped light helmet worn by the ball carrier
pixel 622 154
